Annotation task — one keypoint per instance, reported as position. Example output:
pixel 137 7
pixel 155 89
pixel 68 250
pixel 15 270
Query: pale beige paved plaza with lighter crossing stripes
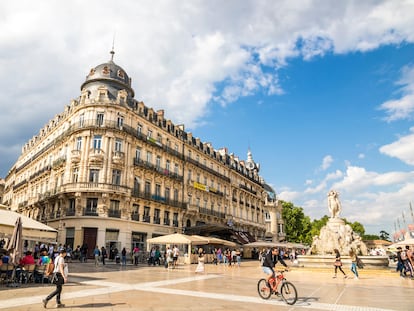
pixel 113 287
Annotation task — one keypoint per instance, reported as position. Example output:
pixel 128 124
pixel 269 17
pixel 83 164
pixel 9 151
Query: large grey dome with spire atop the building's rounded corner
pixel 110 75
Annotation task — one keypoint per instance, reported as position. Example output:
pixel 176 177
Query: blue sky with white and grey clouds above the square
pixel 321 94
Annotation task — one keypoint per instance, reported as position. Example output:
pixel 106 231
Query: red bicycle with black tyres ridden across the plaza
pixel 286 289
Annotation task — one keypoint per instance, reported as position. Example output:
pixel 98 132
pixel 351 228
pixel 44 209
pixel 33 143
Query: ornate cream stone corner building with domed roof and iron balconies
pixel 111 171
